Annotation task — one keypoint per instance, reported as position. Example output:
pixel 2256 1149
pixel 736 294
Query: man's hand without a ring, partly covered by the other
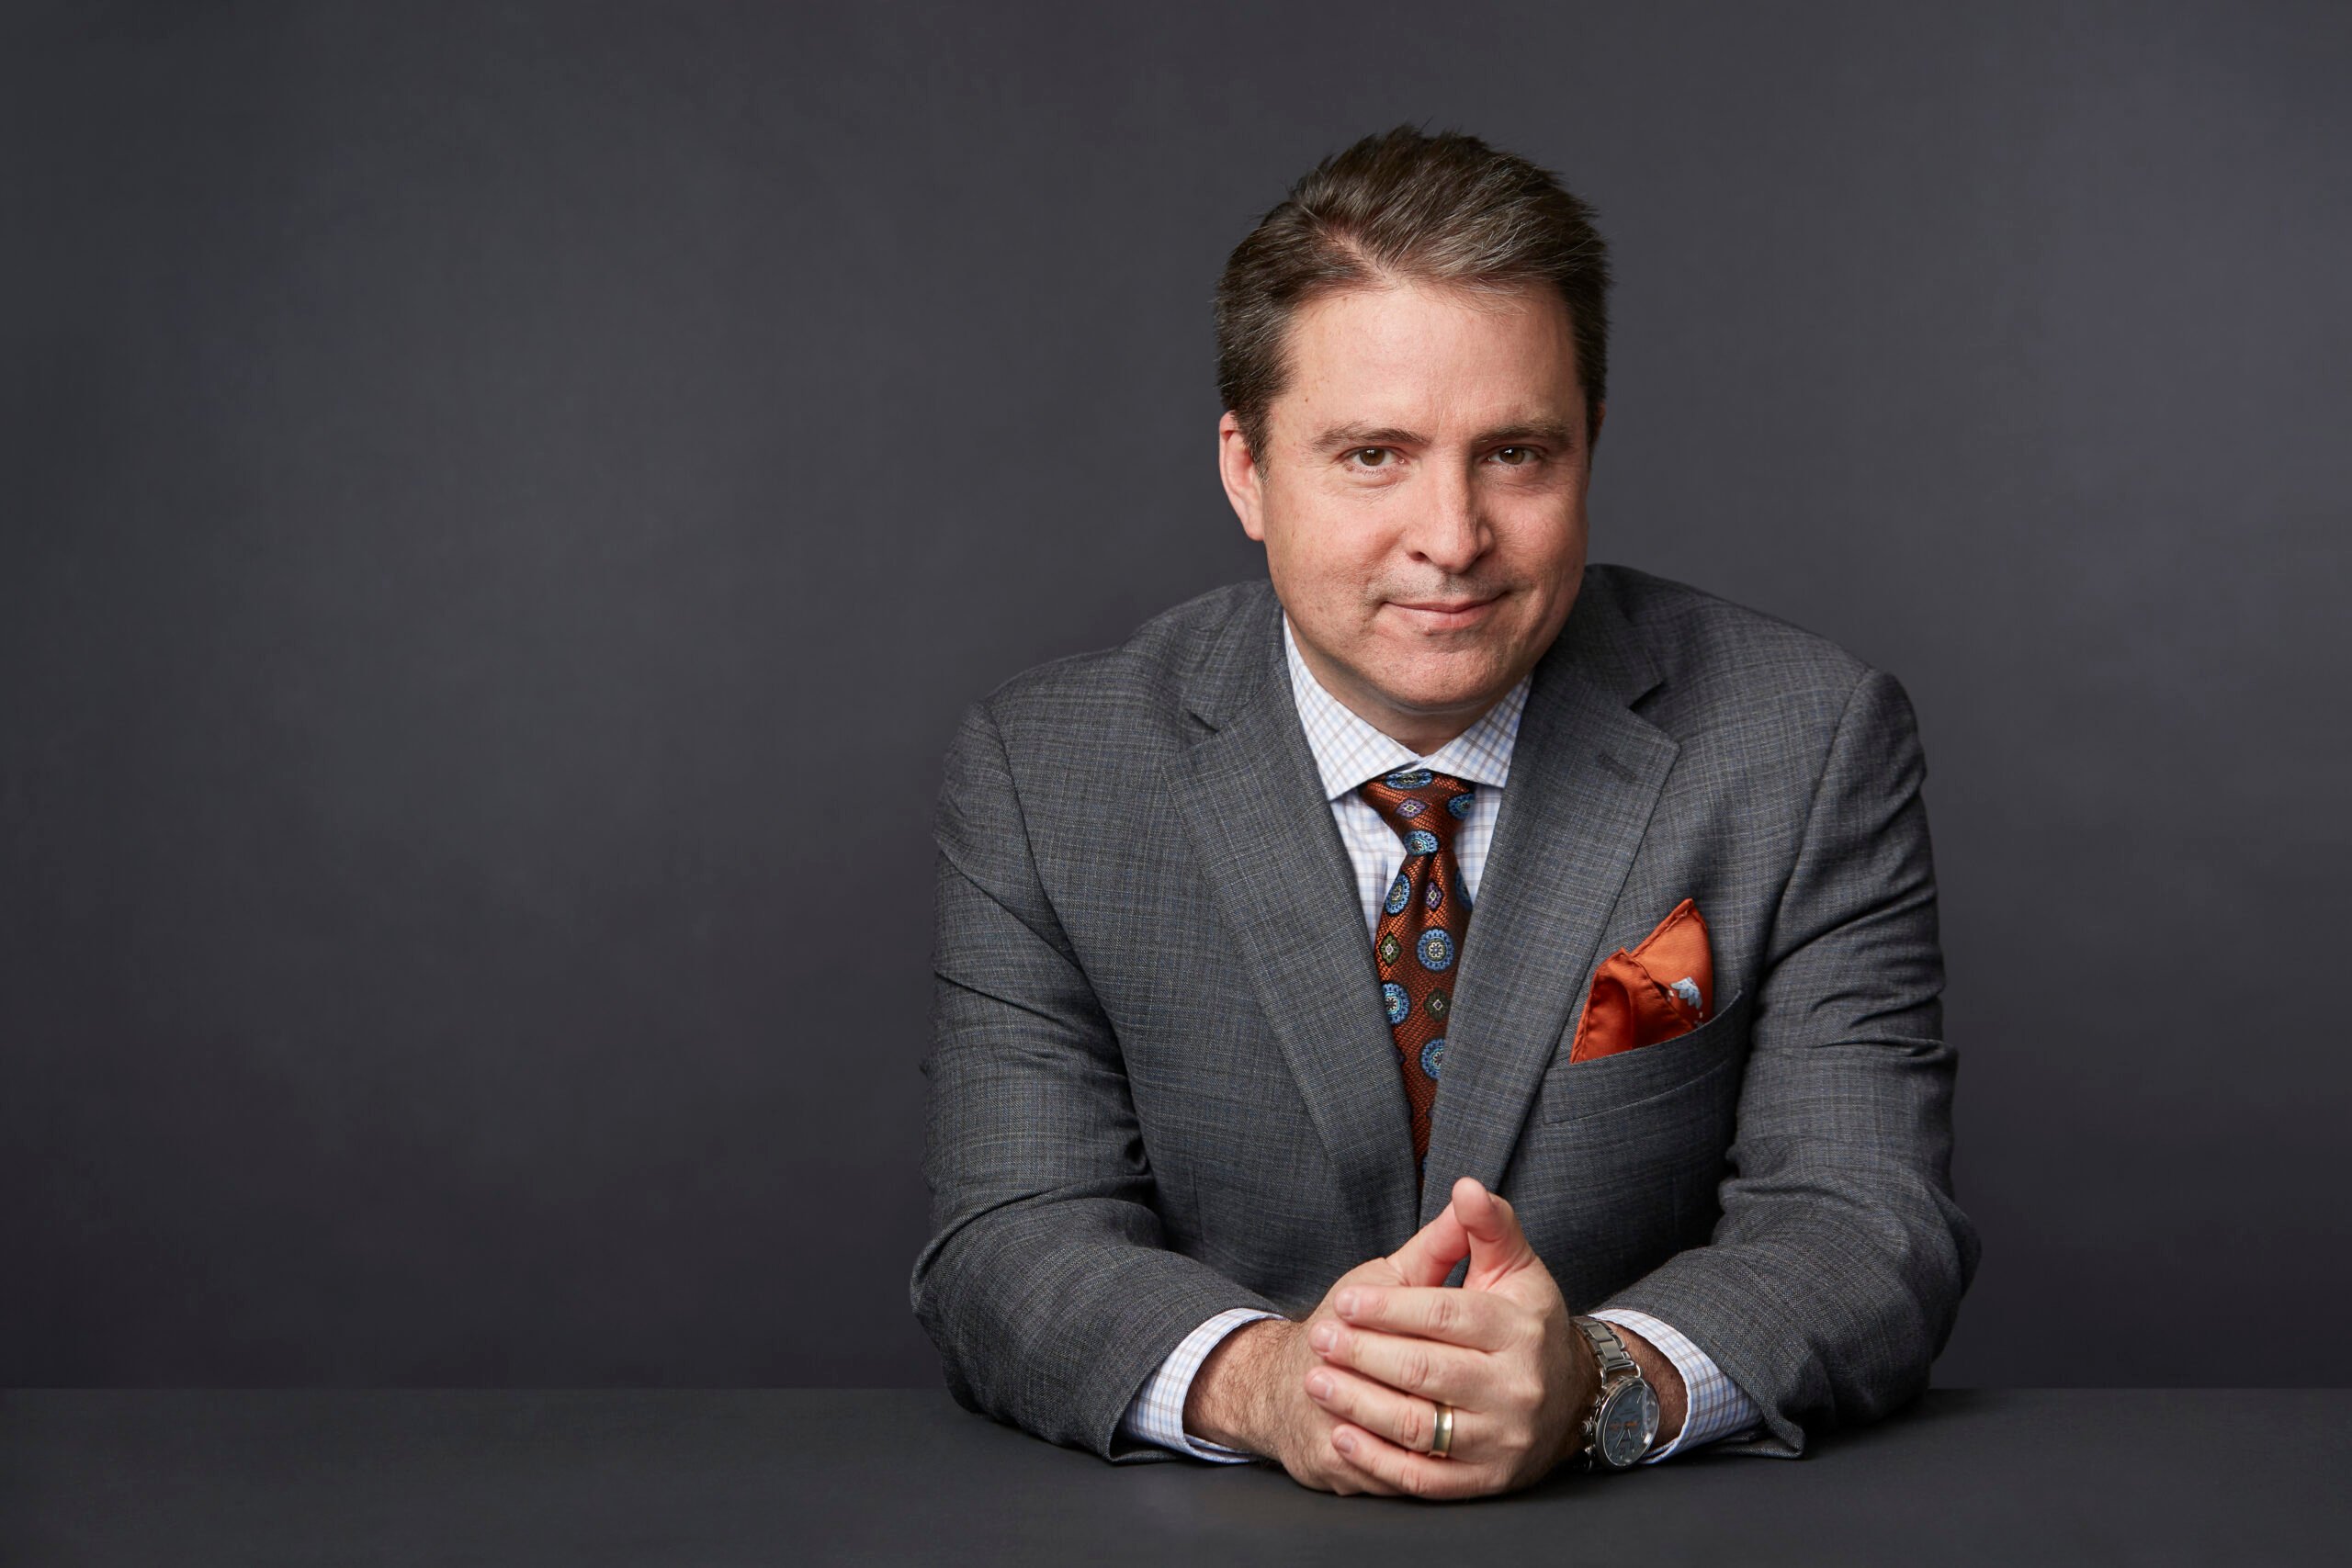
pixel 1252 1388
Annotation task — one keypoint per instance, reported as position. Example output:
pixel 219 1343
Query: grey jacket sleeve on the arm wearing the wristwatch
pixel 1840 1259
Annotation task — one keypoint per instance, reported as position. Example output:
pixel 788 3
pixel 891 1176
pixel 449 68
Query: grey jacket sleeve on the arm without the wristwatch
pixel 1045 1282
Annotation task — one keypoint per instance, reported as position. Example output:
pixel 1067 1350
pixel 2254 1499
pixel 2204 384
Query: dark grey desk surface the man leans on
pixel 714 1477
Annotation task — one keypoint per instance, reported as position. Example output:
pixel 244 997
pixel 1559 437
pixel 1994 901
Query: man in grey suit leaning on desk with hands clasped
pixel 1443 1012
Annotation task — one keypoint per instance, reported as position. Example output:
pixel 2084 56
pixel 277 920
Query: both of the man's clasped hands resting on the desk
pixel 1349 1398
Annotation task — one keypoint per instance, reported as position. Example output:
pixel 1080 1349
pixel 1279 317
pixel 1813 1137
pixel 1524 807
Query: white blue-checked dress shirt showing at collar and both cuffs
pixel 1347 753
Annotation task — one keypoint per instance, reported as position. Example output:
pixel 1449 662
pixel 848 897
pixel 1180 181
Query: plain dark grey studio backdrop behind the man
pixel 505 507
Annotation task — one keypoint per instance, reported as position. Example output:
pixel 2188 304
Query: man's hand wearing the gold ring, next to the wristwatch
pixel 1502 1351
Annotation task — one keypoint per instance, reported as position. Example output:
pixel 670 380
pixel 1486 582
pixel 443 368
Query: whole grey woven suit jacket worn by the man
pixel 1163 1085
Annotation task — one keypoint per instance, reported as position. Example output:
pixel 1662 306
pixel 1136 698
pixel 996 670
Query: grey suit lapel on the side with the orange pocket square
pixel 1584 782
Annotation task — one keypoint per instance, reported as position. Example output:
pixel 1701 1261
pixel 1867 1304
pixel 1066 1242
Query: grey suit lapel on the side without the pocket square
pixel 1255 808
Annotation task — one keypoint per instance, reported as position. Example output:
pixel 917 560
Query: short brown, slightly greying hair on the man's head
pixel 1408 208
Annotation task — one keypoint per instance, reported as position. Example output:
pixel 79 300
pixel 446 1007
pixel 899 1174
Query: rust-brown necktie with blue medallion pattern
pixel 1422 930
